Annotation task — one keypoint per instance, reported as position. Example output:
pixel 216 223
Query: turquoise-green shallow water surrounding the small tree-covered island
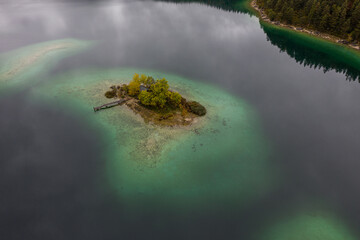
pixel 194 167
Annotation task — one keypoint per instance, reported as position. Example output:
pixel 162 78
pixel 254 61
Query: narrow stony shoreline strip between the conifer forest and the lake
pixel 324 36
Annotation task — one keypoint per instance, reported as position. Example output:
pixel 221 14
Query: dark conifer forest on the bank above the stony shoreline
pixel 337 17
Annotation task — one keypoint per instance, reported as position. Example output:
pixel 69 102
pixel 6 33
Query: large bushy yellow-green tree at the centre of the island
pixel 159 95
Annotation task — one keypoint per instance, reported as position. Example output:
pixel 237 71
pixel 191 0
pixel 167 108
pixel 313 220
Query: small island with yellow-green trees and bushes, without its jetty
pixel 155 102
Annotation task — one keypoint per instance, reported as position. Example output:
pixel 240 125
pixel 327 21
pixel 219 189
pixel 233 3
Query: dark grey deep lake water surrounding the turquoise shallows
pixel 50 161
